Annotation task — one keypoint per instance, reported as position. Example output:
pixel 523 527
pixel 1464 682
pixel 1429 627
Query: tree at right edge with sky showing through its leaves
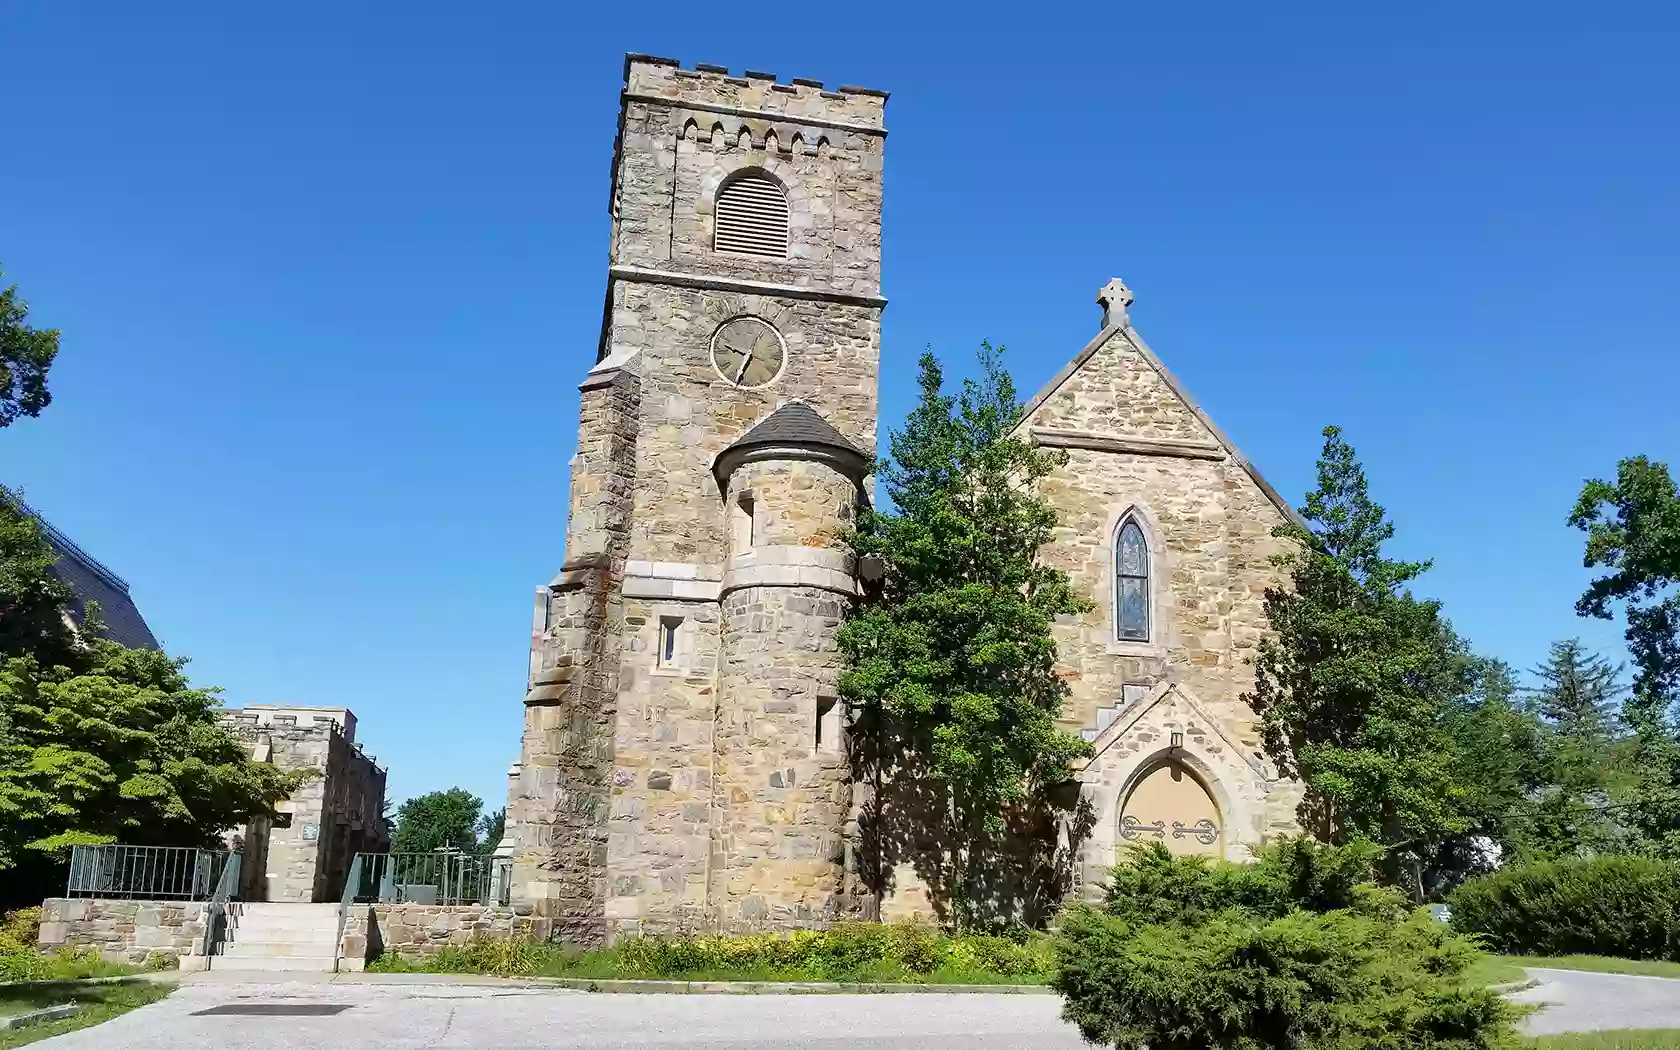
pixel 1634 535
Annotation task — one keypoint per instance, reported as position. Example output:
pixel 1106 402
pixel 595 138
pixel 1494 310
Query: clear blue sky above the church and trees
pixel 330 273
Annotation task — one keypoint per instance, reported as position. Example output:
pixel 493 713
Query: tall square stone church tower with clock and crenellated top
pixel 681 760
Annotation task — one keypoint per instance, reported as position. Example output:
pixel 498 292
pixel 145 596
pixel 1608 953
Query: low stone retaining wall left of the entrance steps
pixel 125 932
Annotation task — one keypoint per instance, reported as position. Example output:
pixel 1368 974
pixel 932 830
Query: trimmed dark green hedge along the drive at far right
pixel 1600 906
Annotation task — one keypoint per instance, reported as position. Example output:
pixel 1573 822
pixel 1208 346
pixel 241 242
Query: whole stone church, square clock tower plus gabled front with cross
pixel 685 757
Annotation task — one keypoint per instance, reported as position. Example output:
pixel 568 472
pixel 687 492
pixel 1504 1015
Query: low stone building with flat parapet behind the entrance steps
pixel 303 854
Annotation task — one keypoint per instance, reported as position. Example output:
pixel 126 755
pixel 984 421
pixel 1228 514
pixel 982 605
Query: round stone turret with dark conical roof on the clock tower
pixel 780 795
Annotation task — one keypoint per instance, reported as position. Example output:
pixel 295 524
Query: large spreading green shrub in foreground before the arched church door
pixel 1296 952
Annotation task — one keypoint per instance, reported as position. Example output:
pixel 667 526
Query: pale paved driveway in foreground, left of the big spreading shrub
pixel 453 1016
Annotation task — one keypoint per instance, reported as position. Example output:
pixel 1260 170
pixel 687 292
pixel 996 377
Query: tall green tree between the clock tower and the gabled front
pixel 950 664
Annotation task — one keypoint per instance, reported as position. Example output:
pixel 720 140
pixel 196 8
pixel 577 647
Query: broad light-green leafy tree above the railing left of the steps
pixel 120 750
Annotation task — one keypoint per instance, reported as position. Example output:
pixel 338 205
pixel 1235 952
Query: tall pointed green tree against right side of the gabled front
pixel 1355 685
